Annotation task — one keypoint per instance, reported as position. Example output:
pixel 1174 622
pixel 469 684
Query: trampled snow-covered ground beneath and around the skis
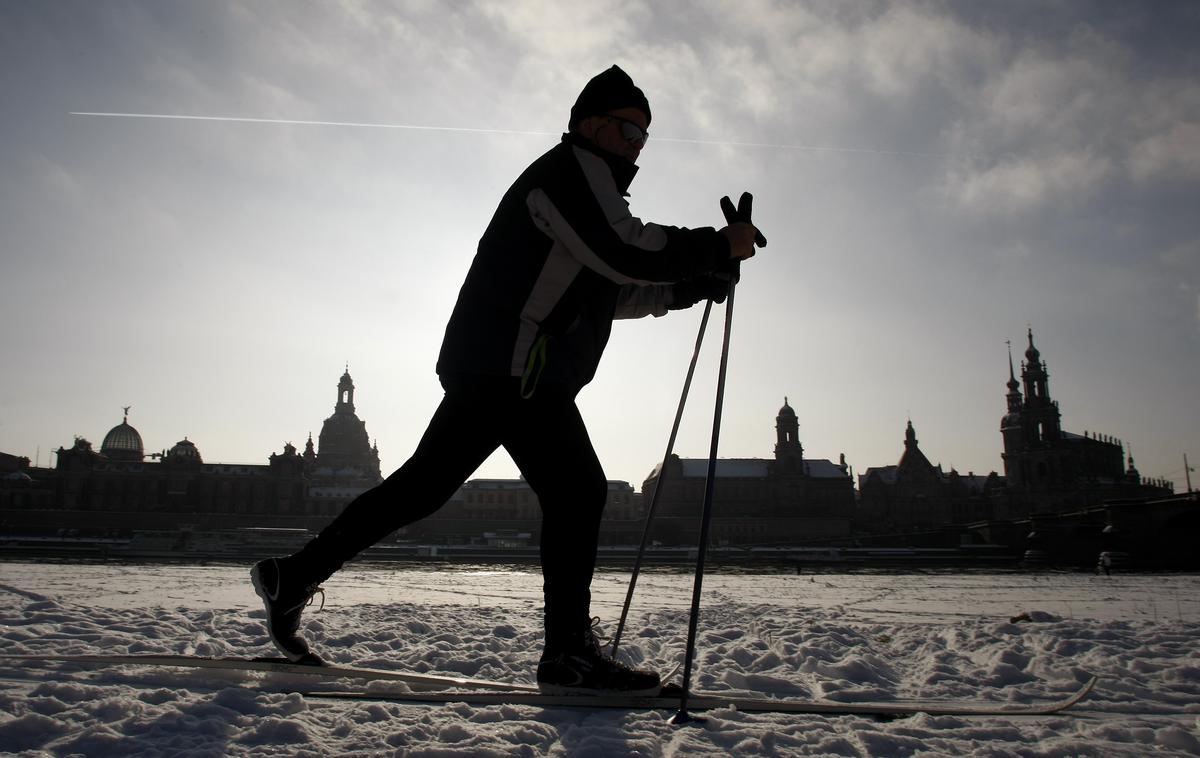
pixel 830 636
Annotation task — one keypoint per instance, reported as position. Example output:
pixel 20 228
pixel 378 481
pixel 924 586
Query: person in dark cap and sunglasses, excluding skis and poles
pixel 560 261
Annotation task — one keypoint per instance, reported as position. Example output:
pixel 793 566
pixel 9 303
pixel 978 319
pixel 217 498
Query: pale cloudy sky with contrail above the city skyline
pixel 934 181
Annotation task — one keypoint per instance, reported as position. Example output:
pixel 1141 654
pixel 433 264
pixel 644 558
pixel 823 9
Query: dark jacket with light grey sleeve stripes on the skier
pixel 560 261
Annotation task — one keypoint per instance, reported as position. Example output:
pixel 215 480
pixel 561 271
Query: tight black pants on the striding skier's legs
pixel 545 437
